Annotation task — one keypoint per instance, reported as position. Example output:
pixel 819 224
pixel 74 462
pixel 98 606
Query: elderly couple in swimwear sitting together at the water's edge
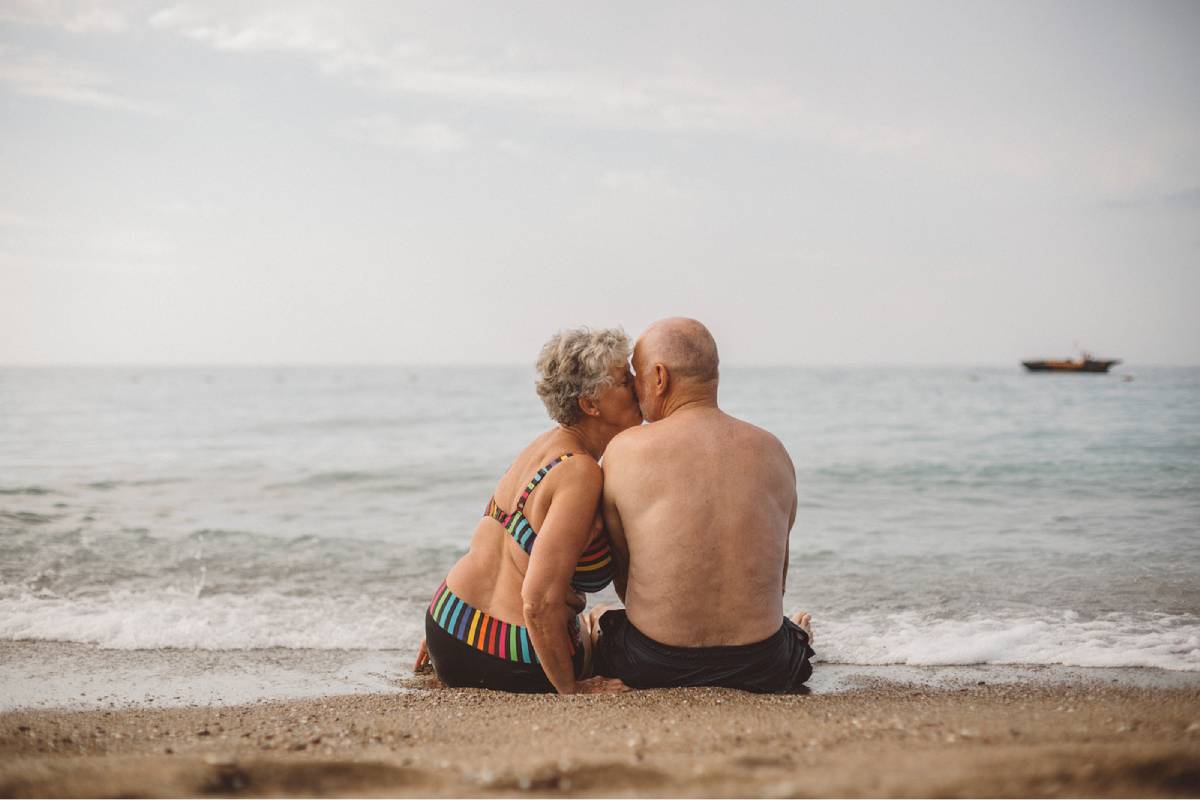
pixel 689 519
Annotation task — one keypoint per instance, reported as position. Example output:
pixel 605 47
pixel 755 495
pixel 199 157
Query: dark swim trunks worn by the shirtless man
pixel 778 664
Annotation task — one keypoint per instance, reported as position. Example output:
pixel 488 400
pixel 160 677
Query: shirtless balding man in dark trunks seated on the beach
pixel 699 507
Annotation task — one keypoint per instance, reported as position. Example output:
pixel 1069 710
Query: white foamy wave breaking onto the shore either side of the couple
pixel 128 621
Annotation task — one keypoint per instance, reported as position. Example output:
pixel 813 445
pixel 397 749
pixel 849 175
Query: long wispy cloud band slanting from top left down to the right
pixel 681 97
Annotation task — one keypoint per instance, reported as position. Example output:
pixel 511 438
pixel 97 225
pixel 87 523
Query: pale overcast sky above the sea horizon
pixel 337 183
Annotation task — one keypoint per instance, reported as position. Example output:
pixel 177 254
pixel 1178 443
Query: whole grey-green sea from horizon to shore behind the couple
pixel 947 516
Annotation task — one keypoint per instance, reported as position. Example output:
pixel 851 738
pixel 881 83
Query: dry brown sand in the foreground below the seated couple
pixel 889 739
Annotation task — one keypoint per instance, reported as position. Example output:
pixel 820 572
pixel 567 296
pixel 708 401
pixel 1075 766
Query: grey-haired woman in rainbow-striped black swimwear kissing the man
pixel 507 616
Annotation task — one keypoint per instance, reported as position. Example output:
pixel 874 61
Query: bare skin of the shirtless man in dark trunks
pixel 699 507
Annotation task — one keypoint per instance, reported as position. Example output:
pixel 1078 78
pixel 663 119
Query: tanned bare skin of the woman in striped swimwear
pixel 535 591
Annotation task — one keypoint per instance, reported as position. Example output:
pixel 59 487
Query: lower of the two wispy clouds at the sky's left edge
pixel 50 77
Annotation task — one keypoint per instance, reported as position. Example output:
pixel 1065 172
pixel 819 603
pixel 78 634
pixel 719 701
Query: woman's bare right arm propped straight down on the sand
pixel 547 592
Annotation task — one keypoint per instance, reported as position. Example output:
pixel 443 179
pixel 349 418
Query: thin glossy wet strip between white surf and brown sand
pixel 88 677
